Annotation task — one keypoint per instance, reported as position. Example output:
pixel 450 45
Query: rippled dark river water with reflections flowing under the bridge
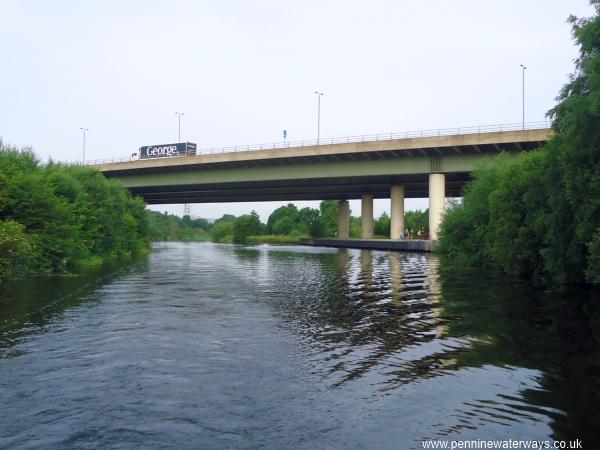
pixel 218 346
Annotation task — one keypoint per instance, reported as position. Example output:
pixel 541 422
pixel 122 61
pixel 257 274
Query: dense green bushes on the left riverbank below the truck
pixel 55 217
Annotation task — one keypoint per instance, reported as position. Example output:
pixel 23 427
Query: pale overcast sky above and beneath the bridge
pixel 243 71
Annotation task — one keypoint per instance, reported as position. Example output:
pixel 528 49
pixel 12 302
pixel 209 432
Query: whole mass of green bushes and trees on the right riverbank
pixel 538 214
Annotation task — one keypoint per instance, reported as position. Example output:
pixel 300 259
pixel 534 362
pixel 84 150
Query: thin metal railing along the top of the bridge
pixel 281 145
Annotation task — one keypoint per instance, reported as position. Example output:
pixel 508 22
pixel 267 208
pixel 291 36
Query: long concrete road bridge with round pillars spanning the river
pixel 435 164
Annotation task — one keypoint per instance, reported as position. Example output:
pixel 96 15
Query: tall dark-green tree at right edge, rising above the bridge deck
pixel 575 150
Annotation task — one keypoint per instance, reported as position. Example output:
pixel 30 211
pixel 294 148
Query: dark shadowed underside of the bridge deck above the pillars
pixel 344 188
